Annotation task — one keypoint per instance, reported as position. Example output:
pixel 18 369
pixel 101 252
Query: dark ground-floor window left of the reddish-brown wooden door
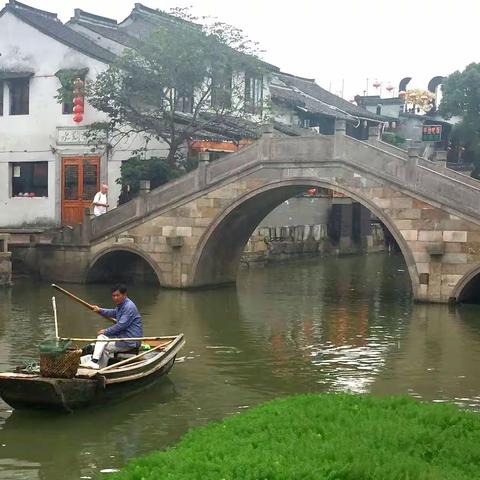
pixel 30 179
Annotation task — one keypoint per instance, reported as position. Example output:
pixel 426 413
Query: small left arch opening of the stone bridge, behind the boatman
pixel 122 263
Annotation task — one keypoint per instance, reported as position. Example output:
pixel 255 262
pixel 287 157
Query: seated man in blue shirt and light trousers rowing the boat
pixel 128 325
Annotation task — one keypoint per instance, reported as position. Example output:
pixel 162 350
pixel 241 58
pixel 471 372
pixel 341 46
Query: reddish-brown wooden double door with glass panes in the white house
pixel 80 182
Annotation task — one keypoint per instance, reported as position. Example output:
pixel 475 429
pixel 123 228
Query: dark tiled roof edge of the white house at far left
pixel 49 24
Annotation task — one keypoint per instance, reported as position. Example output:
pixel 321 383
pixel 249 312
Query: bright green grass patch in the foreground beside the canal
pixel 328 436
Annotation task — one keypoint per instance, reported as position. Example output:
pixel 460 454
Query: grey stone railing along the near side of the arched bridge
pixel 410 172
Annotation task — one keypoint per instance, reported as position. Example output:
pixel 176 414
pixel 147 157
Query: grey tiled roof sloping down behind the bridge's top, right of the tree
pixel 310 88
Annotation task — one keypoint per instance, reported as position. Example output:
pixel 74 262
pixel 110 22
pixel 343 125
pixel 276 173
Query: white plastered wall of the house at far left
pixel 33 137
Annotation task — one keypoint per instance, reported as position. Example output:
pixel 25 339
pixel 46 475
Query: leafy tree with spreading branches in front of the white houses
pixel 185 78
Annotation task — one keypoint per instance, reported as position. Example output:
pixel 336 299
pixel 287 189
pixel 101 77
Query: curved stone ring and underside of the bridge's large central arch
pixel 218 252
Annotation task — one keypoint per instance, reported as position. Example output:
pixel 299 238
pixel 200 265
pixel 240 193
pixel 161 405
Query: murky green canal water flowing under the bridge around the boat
pixel 337 324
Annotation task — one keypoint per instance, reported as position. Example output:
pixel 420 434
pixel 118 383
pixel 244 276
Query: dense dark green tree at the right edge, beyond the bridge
pixel 461 97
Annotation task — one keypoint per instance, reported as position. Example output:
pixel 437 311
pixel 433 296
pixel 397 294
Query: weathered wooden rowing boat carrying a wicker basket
pixel 130 374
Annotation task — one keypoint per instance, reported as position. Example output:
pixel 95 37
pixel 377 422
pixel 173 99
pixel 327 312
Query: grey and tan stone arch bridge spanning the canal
pixel 192 231
